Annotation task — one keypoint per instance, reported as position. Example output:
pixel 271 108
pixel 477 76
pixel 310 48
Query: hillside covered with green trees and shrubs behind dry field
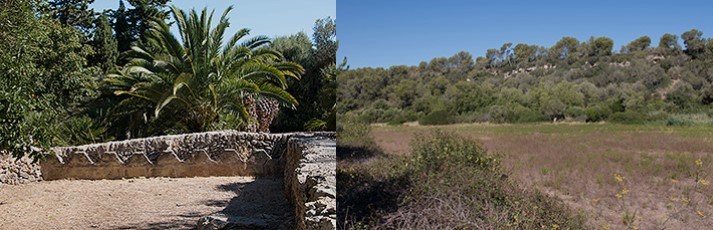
pixel 669 80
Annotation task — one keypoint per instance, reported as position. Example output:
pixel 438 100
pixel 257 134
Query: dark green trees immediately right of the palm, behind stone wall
pixel 315 91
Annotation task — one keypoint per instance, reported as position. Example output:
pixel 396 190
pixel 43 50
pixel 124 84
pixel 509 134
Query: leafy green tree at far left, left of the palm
pixel 45 77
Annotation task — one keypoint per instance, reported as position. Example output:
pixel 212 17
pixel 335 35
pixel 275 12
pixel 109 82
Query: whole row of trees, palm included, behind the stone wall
pixel 70 75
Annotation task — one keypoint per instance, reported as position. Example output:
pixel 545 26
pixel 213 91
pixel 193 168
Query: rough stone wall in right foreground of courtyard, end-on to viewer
pixel 310 180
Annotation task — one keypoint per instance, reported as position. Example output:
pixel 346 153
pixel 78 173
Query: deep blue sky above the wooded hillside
pixel 381 33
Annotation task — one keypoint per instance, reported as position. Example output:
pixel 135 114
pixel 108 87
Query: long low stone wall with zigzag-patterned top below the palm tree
pixel 221 153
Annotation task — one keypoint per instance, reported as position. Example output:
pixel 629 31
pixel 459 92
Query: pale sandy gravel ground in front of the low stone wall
pixel 146 203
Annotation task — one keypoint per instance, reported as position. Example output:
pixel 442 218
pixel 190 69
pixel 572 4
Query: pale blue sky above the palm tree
pixel 271 18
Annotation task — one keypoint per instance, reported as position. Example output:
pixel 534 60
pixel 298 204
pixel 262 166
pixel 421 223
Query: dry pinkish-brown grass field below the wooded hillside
pixel 618 176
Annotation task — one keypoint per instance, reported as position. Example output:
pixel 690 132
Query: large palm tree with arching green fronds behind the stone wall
pixel 199 80
